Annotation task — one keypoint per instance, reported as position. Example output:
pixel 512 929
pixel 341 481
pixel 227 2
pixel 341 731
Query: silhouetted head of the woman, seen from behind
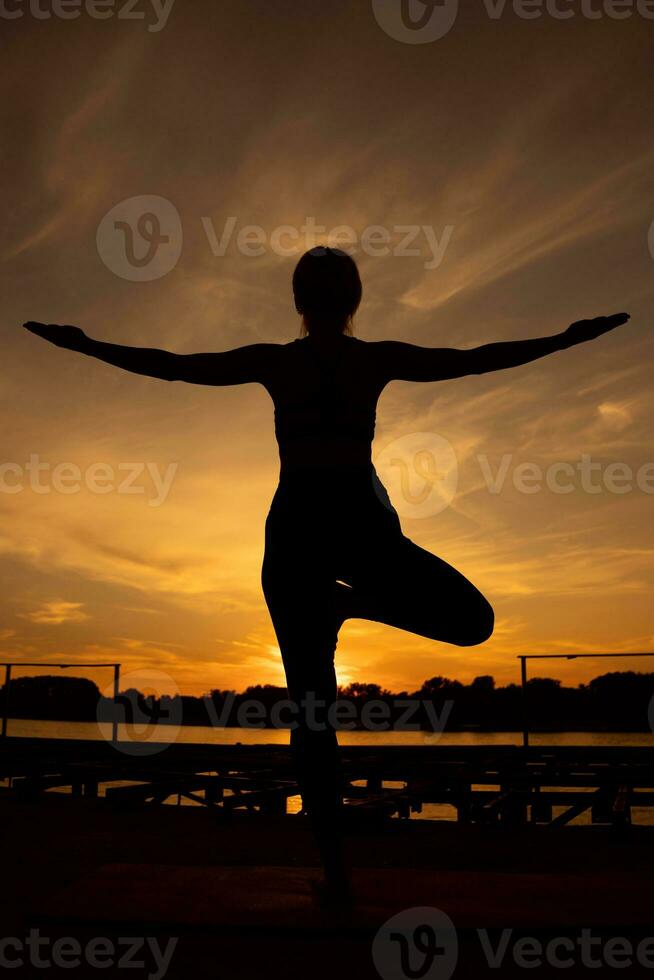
pixel 327 290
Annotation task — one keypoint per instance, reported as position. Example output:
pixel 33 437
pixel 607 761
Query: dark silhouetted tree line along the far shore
pixel 616 701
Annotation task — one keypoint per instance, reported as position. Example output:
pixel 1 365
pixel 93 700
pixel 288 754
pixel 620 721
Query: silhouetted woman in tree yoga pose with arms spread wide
pixel 334 548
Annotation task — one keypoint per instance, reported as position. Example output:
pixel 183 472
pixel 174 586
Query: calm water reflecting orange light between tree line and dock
pixel 272 736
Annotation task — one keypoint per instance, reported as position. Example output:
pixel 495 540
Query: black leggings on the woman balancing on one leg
pixel 336 551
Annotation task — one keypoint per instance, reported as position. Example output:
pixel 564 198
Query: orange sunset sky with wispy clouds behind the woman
pixel 530 139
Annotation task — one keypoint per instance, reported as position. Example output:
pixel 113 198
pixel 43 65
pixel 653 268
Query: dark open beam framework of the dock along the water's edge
pixel 549 785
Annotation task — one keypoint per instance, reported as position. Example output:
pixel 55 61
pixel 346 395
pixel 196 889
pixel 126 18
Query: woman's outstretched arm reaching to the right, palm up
pixel 408 362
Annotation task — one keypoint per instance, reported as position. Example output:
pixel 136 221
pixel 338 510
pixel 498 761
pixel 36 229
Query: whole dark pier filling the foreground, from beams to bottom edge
pixel 231 879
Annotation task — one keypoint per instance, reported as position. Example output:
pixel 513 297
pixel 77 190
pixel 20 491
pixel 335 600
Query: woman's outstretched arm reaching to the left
pixel 232 367
